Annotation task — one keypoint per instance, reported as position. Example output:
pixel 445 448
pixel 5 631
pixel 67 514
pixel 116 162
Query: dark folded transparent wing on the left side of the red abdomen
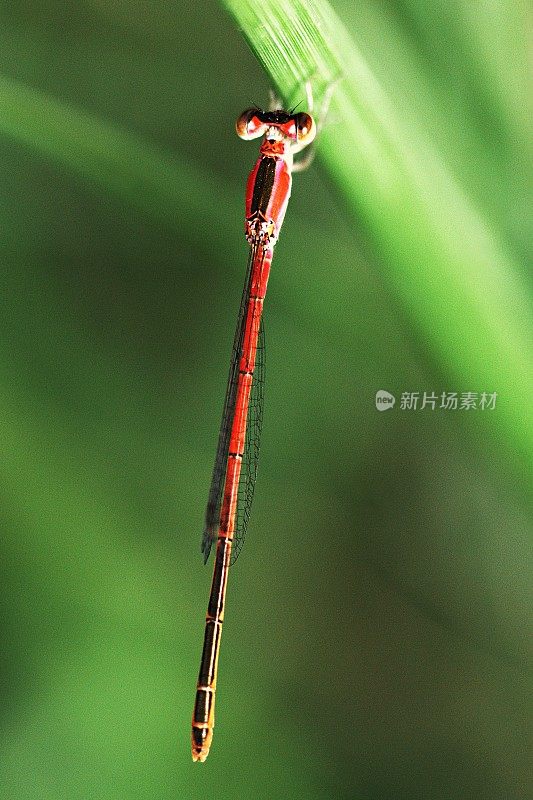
pixel 214 502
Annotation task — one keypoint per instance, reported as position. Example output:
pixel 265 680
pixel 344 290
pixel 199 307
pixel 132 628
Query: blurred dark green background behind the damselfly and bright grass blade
pixel 378 636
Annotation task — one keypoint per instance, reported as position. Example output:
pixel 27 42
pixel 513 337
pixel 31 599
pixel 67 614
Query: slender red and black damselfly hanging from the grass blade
pixel 284 134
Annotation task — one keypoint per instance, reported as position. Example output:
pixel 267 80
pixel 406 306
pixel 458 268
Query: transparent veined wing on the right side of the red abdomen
pixel 254 426
